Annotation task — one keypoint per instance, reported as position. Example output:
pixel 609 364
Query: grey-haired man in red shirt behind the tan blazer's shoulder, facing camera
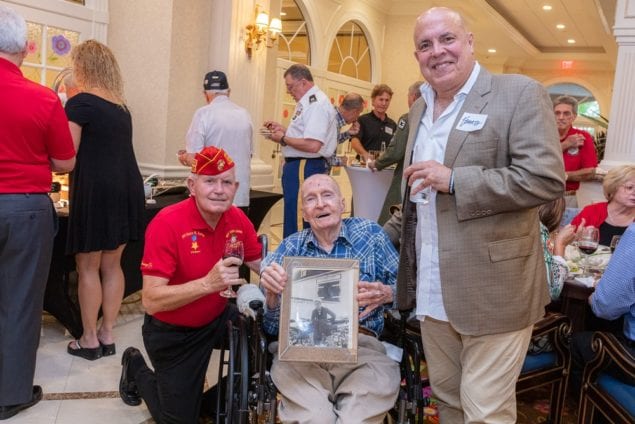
pixel 578 149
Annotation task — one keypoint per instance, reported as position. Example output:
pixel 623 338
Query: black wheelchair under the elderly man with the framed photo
pixel 246 393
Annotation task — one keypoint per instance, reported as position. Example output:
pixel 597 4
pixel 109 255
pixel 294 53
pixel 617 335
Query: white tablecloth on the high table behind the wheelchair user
pixel 369 190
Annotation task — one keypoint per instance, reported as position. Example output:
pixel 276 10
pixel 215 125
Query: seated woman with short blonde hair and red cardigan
pixel 613 217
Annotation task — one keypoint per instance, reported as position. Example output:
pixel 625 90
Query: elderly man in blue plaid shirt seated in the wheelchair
pixel 329 393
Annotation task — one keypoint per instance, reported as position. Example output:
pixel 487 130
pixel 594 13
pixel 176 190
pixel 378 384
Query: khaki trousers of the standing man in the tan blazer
pixel 474 377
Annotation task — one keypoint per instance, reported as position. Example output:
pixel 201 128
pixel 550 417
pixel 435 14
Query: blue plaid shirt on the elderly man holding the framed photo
pixel 359 239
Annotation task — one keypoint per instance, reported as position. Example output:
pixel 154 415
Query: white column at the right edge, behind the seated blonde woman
pixel 620 142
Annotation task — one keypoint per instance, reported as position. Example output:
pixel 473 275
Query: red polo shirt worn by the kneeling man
pixel 181 246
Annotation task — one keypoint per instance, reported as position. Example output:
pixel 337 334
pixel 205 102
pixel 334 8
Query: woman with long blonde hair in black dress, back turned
pixel 106 197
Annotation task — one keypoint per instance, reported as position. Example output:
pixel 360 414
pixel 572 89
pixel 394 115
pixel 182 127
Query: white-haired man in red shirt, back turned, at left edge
pixel 34 140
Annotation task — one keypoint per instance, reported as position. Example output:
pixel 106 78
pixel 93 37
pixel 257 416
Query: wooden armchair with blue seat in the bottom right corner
pixel 601 392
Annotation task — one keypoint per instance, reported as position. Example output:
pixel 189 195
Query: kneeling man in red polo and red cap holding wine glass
pixel 183 274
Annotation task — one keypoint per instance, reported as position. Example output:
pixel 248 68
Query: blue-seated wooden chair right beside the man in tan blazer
pixel 552 367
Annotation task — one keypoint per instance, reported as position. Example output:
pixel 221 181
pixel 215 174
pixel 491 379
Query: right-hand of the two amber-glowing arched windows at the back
pixel 350 54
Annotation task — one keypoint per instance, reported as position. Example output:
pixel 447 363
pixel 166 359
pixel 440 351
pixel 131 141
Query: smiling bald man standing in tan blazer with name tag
pixel 486 148
